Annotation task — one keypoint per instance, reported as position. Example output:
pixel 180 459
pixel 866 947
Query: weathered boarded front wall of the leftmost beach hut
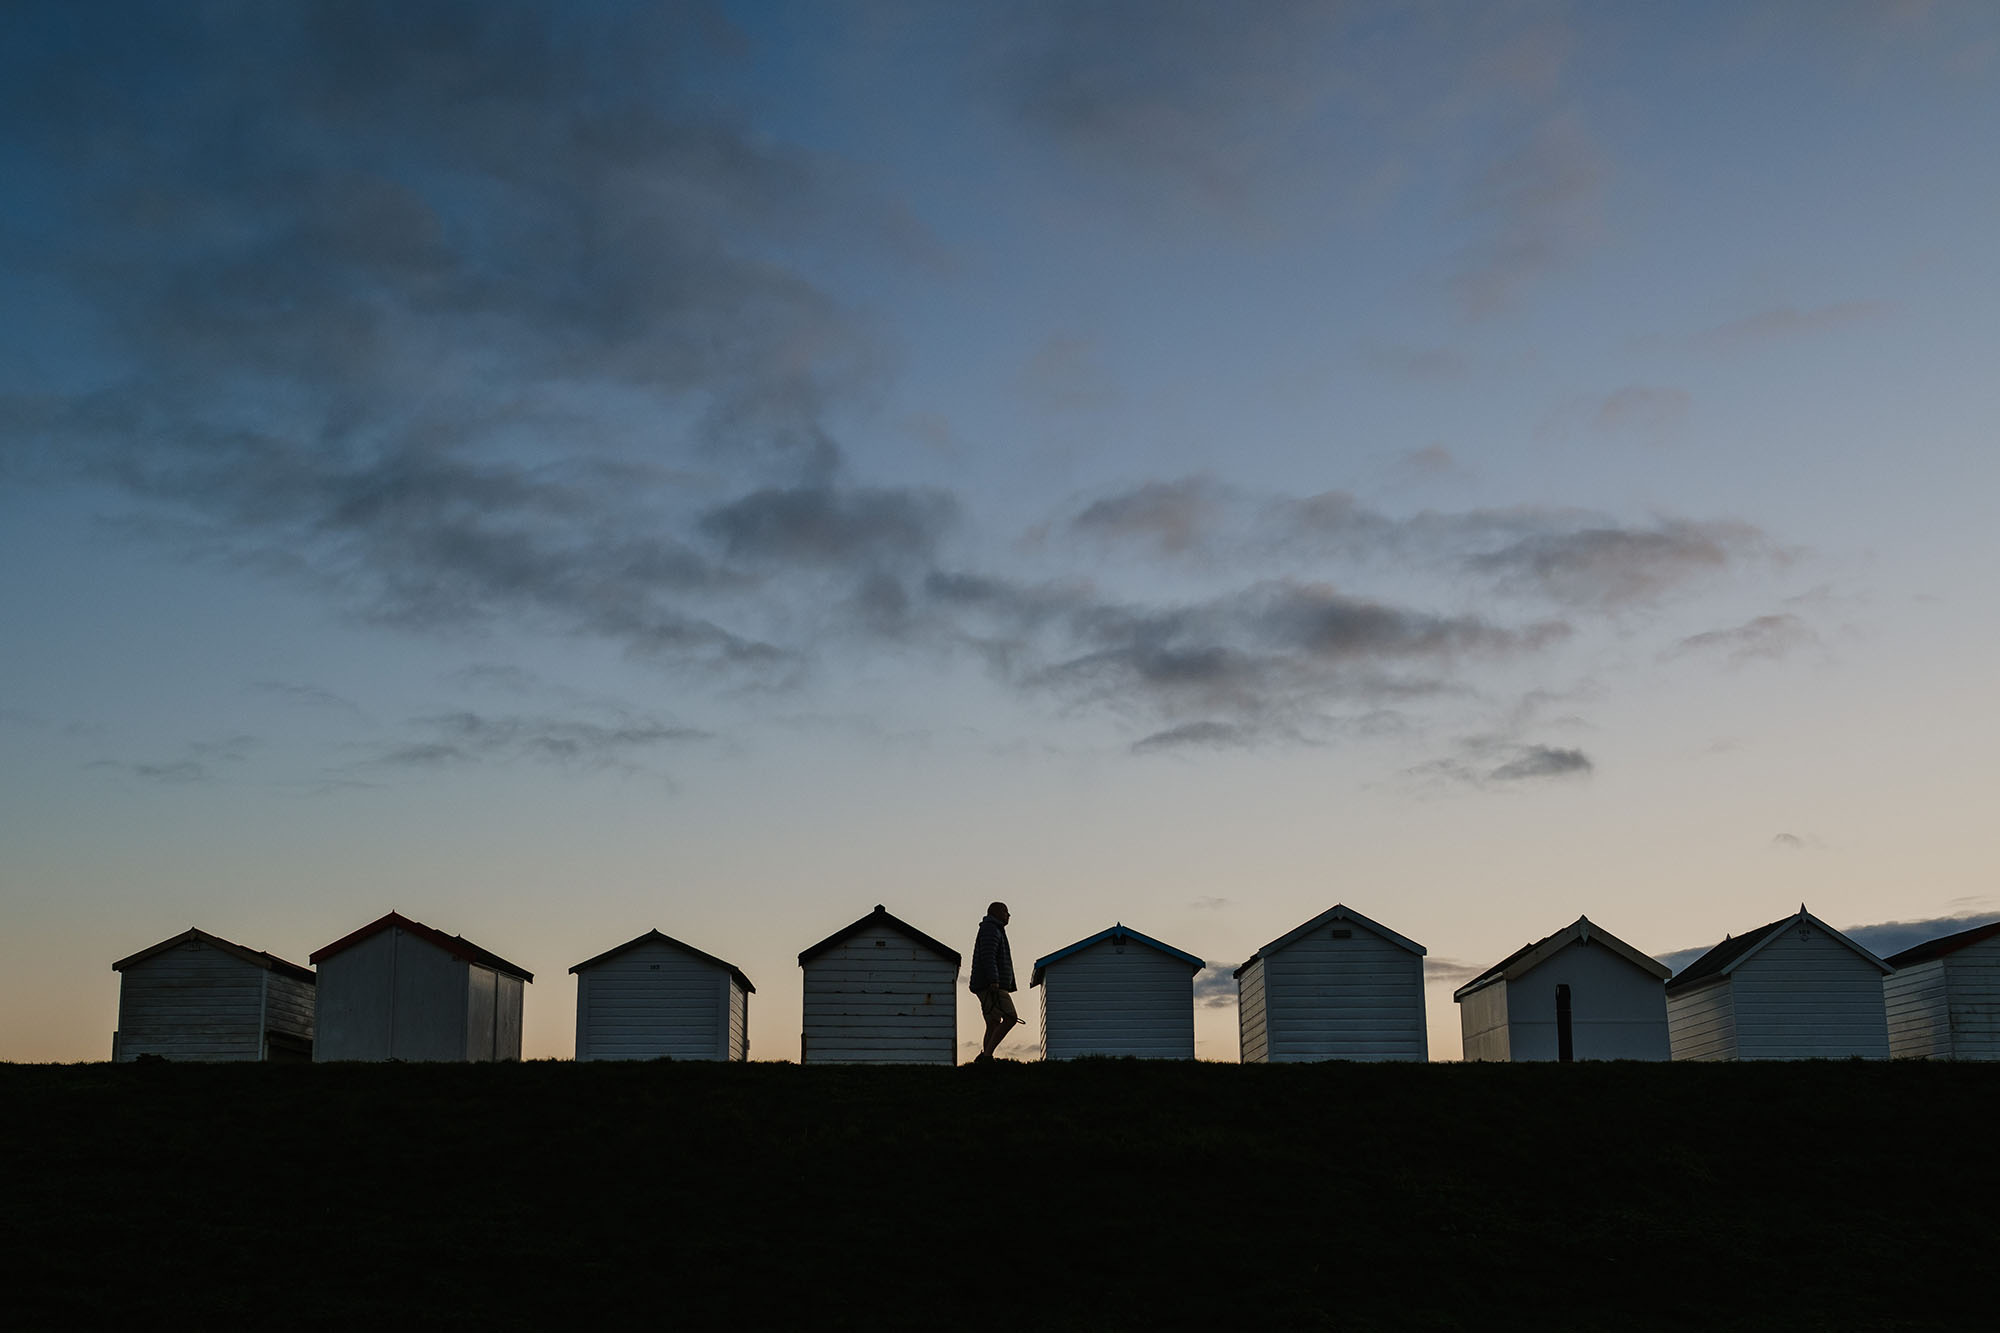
pixel 191 1004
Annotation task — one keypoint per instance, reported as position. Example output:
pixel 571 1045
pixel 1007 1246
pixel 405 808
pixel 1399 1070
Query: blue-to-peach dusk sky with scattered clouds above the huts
pixel 567 471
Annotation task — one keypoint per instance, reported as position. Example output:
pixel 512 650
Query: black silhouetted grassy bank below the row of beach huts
pixel 1019 1196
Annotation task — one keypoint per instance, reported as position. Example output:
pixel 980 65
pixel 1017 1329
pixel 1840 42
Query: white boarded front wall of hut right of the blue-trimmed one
pixel 1345 994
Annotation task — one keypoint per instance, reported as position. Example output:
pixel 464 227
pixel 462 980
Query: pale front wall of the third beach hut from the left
pixel 651 1002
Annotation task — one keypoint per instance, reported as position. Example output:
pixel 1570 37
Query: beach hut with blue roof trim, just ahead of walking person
pixel 1117 994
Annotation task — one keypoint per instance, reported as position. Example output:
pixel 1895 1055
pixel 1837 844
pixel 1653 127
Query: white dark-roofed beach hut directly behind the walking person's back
pixel 881 994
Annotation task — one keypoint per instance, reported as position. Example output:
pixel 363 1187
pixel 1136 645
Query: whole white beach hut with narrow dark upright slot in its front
pixel 1581 994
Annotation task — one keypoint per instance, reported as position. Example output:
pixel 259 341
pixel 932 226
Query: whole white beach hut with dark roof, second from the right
pixel 1795 990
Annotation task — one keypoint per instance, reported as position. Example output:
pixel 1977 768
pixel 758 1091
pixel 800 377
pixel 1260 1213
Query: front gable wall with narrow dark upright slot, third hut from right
pixel 1617 1012
